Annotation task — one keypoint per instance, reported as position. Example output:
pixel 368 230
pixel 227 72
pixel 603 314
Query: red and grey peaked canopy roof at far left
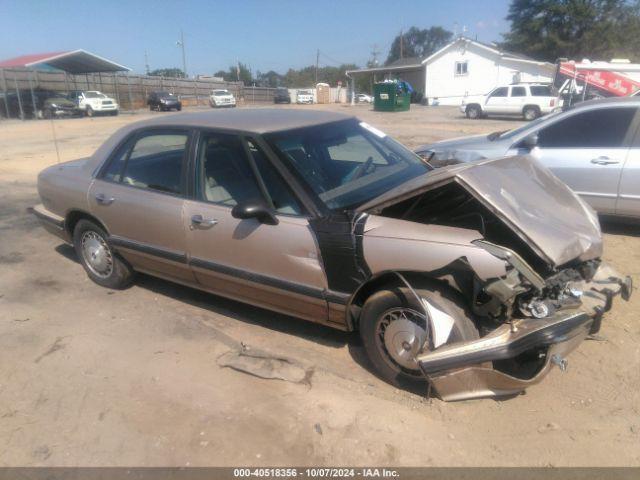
pixel 75 62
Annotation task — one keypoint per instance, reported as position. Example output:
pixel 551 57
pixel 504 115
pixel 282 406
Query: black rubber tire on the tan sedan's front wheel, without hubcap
pixel 383 301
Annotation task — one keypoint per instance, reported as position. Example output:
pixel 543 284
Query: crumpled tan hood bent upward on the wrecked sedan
pixel 533 202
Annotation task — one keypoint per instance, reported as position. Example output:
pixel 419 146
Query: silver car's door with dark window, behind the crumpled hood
pixel 587 150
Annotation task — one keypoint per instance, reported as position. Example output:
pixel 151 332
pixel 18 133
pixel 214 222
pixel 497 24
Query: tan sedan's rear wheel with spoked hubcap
pixel 101 263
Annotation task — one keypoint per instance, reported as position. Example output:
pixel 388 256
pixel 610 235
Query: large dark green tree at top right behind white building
pixel 575 29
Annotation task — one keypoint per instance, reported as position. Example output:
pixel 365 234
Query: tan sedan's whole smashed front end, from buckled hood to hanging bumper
pixel 554 289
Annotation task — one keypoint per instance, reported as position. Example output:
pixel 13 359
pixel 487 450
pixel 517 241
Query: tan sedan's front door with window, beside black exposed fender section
pixel 273 266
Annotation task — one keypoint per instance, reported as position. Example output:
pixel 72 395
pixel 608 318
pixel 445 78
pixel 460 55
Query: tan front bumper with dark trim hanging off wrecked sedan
pixel 464 370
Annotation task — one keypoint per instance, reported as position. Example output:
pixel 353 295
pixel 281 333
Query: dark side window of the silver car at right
pixel 601 128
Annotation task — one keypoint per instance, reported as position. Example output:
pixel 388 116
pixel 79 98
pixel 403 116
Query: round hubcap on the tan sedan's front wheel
pixel 401 333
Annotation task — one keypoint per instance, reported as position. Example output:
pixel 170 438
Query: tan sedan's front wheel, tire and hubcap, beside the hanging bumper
pixel 394 330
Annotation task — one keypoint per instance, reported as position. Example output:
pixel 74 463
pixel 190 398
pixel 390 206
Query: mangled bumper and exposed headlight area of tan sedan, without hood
pixel 546 323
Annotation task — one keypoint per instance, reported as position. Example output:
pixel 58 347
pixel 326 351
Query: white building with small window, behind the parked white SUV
pixel 468 67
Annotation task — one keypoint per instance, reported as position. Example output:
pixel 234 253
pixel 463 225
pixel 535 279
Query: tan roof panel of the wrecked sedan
pixel 255 120
